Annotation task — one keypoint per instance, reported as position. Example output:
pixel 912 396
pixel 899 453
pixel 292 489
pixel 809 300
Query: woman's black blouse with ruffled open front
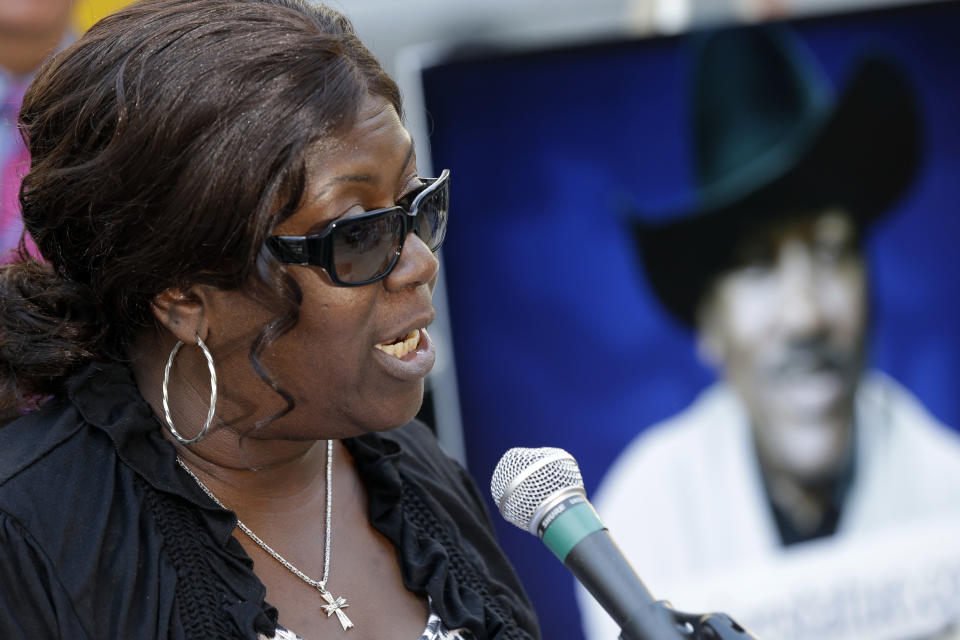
pixel 102 535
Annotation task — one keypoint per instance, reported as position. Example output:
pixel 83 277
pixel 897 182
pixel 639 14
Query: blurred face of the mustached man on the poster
pixel 786 327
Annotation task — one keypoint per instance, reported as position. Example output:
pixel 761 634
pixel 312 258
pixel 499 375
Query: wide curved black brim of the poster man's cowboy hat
pixel 862 158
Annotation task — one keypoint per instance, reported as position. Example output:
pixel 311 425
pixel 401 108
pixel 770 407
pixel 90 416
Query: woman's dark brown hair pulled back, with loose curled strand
pixel 166 144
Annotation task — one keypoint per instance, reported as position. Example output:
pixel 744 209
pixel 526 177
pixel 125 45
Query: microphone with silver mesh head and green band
pixel 541 491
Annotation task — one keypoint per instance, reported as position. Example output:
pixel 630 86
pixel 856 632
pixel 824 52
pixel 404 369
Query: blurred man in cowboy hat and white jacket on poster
pixel 799 445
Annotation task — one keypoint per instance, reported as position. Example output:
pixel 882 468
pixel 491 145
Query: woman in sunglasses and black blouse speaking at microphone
pixel 232 324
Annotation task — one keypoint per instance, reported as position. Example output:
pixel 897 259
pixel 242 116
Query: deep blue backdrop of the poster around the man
pixel 558 340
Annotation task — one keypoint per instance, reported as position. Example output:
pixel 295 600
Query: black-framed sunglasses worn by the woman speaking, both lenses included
pixel 363 249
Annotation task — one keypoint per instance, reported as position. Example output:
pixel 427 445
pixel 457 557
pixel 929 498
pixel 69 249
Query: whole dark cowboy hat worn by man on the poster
pixel 771 141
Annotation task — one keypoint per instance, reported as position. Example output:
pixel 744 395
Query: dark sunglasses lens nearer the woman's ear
pixel 365 249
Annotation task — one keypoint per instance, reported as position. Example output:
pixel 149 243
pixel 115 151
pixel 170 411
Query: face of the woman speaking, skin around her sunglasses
pixel 335 362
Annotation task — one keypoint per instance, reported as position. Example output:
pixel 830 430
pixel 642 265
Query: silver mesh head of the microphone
pixel 527 480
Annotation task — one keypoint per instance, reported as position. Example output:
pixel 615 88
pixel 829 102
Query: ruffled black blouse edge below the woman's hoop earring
pixel 218 595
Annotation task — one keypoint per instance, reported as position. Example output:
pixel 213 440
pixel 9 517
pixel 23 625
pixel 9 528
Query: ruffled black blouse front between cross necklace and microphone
pixel 431 512
